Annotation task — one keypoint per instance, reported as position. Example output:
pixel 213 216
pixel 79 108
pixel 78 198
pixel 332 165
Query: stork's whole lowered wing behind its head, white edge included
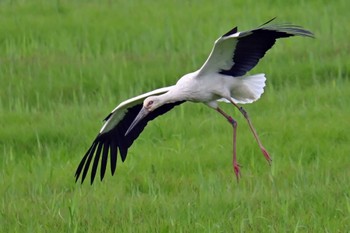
pixel 112 135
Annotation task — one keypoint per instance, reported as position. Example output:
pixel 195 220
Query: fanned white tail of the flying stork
pixel 249 89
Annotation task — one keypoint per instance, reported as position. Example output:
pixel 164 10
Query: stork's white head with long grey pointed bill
pixel 149 104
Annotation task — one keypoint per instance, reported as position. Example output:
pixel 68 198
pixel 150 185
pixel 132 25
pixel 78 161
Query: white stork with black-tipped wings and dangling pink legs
pixel 221 78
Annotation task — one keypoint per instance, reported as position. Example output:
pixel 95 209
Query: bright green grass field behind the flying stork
pixel 64 65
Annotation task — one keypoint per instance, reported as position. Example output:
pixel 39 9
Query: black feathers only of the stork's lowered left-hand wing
pixel 115 139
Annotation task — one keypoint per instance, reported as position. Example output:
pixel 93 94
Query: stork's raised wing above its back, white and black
pixel 236 53
